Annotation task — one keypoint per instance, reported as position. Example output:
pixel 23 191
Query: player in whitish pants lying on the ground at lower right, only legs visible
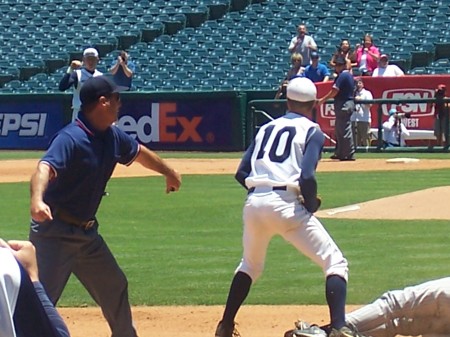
pixel 423 309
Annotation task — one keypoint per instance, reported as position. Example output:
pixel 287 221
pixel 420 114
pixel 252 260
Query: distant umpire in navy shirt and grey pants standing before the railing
pixel 344 105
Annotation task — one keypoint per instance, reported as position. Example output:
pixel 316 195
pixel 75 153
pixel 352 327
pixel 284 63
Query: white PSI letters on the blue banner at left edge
pixel 25 125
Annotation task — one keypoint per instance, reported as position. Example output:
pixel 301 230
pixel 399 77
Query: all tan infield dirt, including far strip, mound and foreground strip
pixel 255 321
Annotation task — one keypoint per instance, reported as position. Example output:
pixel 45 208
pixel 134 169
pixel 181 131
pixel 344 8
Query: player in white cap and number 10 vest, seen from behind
pixel 278 170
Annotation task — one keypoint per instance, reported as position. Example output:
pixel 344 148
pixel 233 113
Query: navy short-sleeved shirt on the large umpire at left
pixel 84 160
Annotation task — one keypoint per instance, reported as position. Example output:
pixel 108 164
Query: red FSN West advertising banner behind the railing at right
pixel 421 118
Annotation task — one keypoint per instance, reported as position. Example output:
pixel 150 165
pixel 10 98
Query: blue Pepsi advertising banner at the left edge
pixel 29 125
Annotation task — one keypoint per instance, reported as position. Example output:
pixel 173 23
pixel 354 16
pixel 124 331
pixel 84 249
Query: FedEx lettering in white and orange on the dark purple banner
pixel 162 125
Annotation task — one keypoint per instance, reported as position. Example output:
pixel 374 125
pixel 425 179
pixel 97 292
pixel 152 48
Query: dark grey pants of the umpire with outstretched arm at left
pixel 63 249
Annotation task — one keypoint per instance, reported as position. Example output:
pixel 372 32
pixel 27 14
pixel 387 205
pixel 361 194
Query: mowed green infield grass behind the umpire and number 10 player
pixel 182 248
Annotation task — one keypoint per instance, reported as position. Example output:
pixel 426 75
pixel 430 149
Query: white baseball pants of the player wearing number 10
pixel 271 213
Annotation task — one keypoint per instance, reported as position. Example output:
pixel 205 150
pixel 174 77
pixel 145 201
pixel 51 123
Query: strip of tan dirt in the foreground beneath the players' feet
pixel 197 321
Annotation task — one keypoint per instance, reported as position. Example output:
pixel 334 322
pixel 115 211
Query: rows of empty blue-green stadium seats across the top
pixel 215 32
